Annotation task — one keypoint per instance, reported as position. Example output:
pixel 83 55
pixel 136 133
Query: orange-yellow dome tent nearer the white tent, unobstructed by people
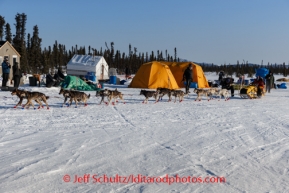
pixel 153 75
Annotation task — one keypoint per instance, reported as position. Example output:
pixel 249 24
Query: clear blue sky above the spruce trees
pixel 212 31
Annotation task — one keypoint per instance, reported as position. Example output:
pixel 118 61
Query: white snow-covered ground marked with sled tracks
pixel 245 141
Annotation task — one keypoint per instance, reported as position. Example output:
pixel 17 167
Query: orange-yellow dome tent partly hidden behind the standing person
pixel 178 68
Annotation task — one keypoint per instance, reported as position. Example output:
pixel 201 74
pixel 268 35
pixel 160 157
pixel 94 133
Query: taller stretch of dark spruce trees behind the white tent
pixel 34 59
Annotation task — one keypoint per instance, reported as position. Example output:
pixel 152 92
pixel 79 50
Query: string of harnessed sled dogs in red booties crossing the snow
pixel 113 96
